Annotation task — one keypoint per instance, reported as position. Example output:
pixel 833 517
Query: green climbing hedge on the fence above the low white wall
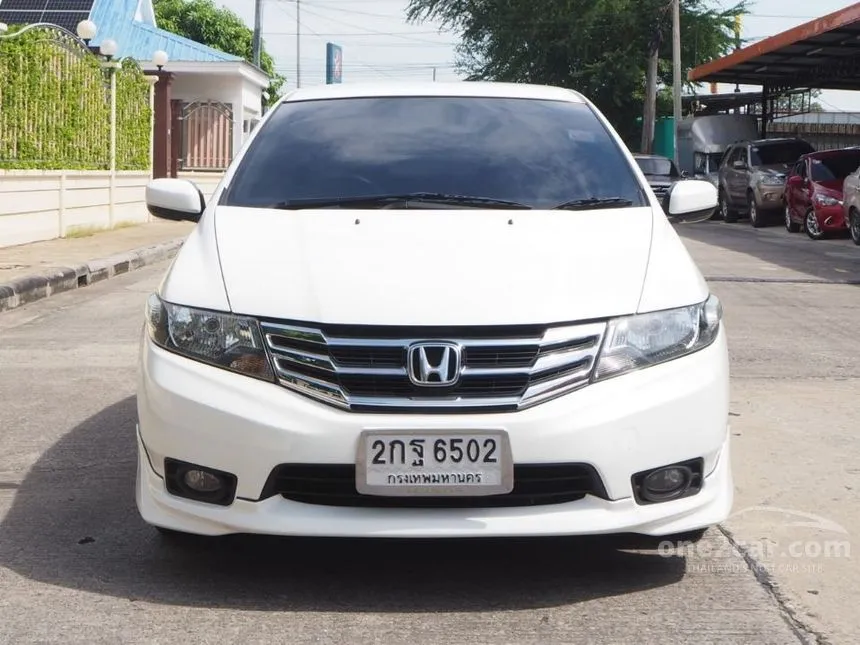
pixel 55 107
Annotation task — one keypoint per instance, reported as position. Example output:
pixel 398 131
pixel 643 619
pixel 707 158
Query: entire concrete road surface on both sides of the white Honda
pixel 77 565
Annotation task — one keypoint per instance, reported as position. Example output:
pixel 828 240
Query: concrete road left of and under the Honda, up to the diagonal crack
pixel 77 565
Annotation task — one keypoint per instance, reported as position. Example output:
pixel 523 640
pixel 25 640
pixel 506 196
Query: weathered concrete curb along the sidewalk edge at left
pixel 61 279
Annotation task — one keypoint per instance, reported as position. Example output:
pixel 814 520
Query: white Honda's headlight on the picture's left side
pixel 227 341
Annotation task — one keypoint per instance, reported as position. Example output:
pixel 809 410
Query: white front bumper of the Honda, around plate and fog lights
pixel 655 417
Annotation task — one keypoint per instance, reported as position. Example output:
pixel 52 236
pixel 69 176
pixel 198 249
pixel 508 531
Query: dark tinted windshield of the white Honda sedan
pixel 537 153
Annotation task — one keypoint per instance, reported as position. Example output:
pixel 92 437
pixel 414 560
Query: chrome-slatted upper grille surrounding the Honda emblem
pixel 366 368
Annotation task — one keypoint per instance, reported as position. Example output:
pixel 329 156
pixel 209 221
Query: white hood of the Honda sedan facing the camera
pixel 433 267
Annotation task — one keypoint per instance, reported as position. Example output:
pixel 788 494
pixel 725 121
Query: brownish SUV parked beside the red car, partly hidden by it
pixel 752 178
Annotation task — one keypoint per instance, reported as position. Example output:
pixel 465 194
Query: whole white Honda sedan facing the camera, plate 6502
pixel 389 322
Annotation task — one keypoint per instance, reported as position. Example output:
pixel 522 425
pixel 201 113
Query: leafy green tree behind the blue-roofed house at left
pixel 206 23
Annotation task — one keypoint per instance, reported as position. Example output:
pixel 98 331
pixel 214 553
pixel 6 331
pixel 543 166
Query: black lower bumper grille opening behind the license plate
pixel 334 485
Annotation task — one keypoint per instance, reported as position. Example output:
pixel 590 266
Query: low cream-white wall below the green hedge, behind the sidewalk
pixel 40 205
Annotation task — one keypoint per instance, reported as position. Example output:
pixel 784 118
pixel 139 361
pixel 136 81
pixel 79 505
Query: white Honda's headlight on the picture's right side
pixel 634 342
